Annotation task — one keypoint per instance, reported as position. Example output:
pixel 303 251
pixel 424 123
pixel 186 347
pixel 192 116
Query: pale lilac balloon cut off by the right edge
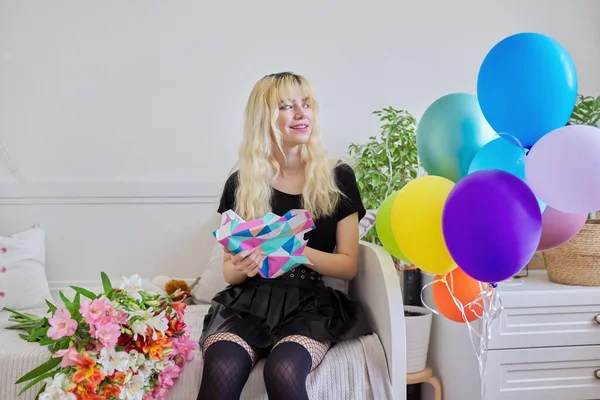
pixel 563 169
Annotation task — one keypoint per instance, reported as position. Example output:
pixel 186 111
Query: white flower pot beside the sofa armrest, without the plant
pixel 418 329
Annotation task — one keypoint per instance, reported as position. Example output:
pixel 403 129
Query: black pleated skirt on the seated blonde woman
pixel 263 311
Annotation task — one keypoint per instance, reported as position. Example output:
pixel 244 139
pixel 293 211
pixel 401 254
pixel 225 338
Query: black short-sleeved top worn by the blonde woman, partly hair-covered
pixel 322 238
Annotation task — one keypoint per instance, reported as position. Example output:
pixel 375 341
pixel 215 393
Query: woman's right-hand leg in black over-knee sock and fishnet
pixel 289 364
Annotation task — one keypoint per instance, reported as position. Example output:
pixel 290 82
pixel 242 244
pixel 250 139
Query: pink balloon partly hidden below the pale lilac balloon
pixel 559 227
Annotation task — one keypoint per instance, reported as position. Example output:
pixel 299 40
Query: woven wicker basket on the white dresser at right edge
pixel 576 262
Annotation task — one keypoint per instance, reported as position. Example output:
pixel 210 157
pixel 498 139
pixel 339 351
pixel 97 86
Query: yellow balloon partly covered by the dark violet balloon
pixel 417 223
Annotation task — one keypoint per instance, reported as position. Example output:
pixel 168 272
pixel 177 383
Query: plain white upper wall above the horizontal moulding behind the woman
pixel 149 90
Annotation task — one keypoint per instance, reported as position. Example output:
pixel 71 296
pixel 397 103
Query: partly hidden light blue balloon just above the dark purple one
pixel 503 154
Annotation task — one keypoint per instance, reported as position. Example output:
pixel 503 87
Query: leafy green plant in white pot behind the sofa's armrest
pixel 383 166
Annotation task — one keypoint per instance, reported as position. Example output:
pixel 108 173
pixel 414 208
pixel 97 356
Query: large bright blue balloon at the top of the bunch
pixel 527 86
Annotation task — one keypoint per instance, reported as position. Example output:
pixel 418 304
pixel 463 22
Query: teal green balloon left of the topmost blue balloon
pixel 450 133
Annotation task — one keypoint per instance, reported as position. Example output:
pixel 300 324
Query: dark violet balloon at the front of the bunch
pixel 492 225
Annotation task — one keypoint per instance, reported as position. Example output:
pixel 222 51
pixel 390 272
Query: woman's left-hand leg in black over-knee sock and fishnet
pixel 228 360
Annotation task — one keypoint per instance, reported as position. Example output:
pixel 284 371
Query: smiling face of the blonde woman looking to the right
pixel 294 120
